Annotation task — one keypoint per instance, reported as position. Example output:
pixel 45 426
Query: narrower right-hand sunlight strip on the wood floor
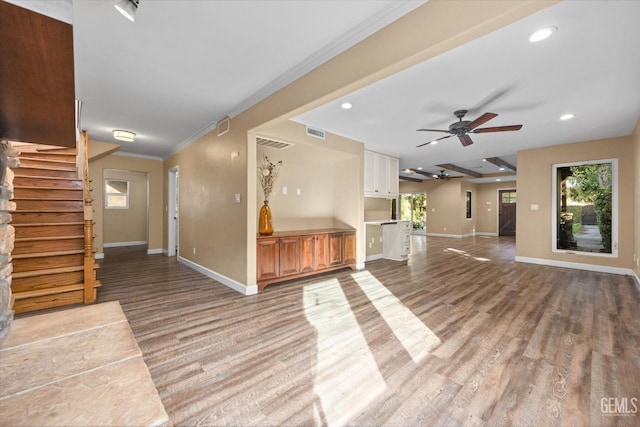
pixel 417 339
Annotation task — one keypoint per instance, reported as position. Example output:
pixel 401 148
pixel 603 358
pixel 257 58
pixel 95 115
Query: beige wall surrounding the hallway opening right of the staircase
pixel 155 230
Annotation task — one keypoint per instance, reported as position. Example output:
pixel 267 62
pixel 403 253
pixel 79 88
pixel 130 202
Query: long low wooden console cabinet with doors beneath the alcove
pixel 293 254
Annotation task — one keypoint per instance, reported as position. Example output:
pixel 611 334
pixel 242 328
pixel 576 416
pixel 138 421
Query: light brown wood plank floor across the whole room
pixel 459 335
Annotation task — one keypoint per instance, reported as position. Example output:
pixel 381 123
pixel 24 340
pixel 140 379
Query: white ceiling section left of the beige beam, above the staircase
pixel 184 65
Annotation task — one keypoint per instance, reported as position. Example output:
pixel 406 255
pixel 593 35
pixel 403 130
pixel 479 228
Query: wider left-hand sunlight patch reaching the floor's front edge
pixel 347 376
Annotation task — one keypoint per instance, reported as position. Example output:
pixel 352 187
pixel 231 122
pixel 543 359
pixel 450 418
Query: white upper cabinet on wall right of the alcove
pixel 380 175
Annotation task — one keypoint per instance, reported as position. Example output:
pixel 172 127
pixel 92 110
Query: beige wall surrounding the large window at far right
pixel 533 228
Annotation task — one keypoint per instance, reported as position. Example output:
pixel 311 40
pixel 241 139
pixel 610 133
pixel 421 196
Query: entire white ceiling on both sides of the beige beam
pixel 183 65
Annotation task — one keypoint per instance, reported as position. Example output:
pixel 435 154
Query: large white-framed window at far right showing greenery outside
pixel 585 206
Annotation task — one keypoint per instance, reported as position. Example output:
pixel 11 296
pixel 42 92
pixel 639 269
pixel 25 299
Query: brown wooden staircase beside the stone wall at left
pixel 53 257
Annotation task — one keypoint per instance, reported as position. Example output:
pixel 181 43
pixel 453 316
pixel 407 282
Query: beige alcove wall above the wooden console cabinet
pixel 327 172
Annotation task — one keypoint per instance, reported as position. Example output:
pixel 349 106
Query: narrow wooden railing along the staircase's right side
pixel 89 254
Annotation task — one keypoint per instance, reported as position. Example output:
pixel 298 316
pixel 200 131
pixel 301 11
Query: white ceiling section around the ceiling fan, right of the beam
pixel 589 67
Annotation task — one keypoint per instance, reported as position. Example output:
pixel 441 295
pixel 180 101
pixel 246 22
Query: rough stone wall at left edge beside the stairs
pixel 8 160
